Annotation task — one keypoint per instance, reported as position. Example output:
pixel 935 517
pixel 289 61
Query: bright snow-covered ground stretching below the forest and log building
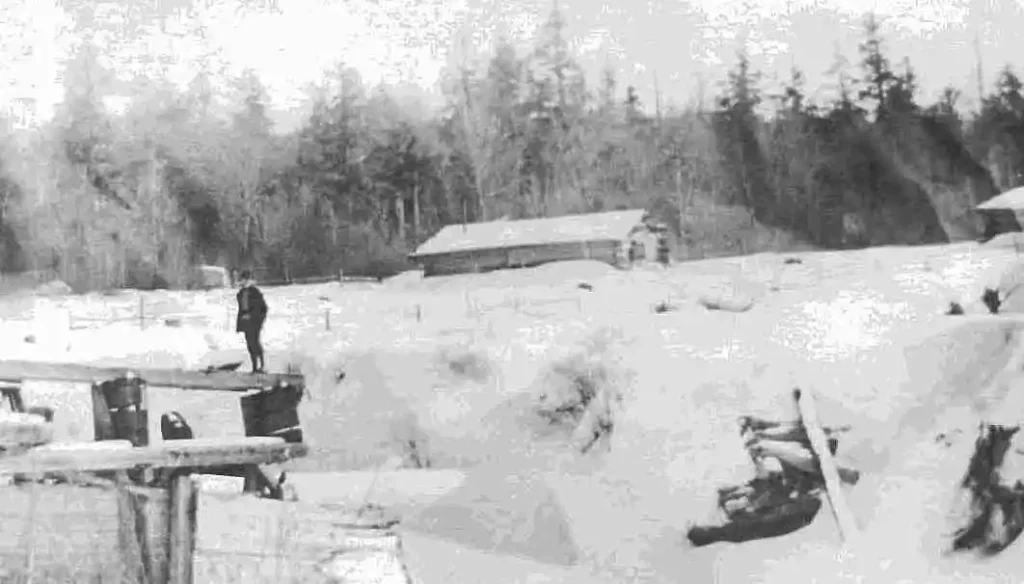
pixel 456 363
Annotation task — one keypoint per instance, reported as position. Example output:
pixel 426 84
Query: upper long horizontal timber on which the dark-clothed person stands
pixel 16 371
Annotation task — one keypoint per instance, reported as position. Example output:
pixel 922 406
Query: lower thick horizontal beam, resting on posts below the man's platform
pixel 175 454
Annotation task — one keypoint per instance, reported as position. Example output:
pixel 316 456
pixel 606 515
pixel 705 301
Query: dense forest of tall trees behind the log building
pixel 111 199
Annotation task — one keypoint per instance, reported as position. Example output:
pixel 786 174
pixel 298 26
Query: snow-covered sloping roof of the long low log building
pixel 504 234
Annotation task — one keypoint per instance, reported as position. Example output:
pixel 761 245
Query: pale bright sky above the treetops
pixel 679 51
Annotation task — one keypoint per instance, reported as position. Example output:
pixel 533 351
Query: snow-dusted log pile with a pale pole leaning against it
pixel 794 470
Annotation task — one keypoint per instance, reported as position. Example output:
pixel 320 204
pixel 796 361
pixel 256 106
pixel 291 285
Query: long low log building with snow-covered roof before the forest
pixel 507 244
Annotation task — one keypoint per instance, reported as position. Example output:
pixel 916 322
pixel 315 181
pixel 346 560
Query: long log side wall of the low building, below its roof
pixel 527 257
